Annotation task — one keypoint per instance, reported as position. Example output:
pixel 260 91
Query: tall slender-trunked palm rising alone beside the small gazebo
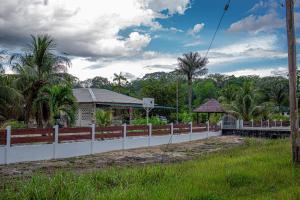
pixel 192 65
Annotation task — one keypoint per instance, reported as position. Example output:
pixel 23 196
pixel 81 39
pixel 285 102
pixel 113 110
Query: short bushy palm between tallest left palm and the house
pixel 57 101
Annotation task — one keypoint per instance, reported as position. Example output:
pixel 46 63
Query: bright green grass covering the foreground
pixel 261 169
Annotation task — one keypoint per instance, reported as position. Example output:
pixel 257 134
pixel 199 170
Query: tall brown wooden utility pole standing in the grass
pixel 293 81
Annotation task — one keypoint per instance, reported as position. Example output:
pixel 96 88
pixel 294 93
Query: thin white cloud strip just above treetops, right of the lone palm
pixel 262 72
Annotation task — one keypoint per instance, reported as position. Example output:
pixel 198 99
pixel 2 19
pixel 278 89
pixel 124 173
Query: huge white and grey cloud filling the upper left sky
pixel 87 28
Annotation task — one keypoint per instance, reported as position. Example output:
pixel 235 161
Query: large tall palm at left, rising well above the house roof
pixel 37 67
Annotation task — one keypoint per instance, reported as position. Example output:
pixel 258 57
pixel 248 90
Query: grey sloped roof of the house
pixel 94 95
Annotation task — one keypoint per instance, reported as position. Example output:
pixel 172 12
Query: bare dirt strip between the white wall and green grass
pixel 159 154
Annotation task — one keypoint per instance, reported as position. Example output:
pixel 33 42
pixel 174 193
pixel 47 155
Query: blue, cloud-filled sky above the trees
pixel 136 37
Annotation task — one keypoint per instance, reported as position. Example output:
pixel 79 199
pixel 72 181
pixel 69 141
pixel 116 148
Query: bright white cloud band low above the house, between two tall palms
pixel 148 63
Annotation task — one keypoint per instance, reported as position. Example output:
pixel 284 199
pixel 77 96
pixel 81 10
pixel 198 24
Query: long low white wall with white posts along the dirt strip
pixel 33 152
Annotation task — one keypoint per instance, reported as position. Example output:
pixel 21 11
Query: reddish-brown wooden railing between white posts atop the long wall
pixel 49 135
